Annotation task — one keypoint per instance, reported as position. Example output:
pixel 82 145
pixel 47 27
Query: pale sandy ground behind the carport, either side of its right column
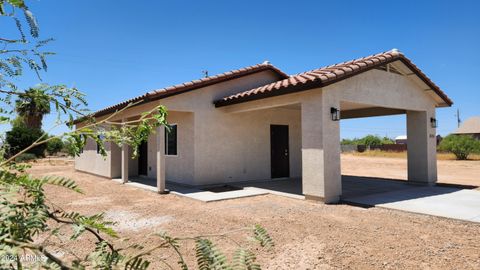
pixel 449 171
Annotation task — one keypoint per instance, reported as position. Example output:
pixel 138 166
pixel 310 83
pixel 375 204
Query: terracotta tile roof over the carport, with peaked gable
pixel 327 75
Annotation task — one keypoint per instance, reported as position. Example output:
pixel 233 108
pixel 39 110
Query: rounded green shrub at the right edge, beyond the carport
pixel 460 145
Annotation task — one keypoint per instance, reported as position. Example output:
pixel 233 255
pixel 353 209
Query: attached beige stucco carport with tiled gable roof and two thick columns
pixel 382 84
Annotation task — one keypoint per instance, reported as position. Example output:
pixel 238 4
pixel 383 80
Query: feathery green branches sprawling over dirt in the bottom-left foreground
pixel 25 216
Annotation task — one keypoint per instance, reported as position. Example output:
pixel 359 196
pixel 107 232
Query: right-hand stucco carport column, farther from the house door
pixel 422 147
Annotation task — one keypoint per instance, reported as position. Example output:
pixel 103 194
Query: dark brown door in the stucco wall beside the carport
pixel 279 151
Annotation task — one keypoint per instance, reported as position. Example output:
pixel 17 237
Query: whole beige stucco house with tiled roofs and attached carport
pixel 258 123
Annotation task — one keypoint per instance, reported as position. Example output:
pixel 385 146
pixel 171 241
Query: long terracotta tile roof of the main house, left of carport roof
pixel 188 86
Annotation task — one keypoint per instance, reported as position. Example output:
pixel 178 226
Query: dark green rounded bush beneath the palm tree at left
pixel 21 137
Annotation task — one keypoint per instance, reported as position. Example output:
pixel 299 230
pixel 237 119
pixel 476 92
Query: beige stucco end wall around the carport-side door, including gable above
pixel 233 147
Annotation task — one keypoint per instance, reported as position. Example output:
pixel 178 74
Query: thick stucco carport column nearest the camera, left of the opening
pixel 321 177
